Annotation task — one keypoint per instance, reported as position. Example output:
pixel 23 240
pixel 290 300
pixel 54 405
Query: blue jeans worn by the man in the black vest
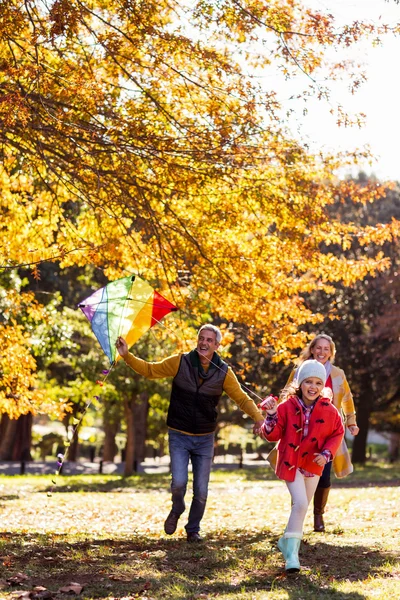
pixel 200 450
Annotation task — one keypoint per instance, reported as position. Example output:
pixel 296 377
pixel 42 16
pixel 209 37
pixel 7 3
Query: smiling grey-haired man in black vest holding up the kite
pixel 199 379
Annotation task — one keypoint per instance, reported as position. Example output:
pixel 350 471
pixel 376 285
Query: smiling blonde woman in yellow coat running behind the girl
pixel 322 349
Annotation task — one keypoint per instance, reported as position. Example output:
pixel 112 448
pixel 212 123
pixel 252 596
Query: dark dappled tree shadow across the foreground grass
pixel 234 563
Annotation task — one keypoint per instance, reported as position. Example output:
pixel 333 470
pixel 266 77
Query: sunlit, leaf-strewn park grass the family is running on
pixel 106 533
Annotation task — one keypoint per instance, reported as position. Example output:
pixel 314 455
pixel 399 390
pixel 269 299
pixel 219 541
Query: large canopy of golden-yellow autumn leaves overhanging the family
pixel 132 138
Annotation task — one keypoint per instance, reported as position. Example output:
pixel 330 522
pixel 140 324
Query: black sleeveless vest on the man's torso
pixel 193 404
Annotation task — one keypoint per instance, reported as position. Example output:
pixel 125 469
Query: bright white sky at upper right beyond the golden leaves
pixel 378 98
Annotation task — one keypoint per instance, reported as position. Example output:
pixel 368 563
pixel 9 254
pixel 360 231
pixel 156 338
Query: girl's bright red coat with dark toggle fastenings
pixel 325 432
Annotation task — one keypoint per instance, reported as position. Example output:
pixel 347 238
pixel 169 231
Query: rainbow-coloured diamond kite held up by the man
pixel 127 307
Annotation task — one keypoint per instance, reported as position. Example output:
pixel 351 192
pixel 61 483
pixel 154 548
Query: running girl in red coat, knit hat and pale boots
pixel 309 430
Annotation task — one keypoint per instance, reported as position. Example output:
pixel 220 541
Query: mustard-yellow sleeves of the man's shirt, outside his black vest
pixel 169 368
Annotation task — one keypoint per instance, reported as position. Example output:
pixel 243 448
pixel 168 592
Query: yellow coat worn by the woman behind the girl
pixel 343 400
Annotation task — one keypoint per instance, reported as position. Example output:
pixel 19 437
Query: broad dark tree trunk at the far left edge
pixel 16 438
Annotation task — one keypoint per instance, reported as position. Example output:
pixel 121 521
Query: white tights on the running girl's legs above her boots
pixel 302 490
